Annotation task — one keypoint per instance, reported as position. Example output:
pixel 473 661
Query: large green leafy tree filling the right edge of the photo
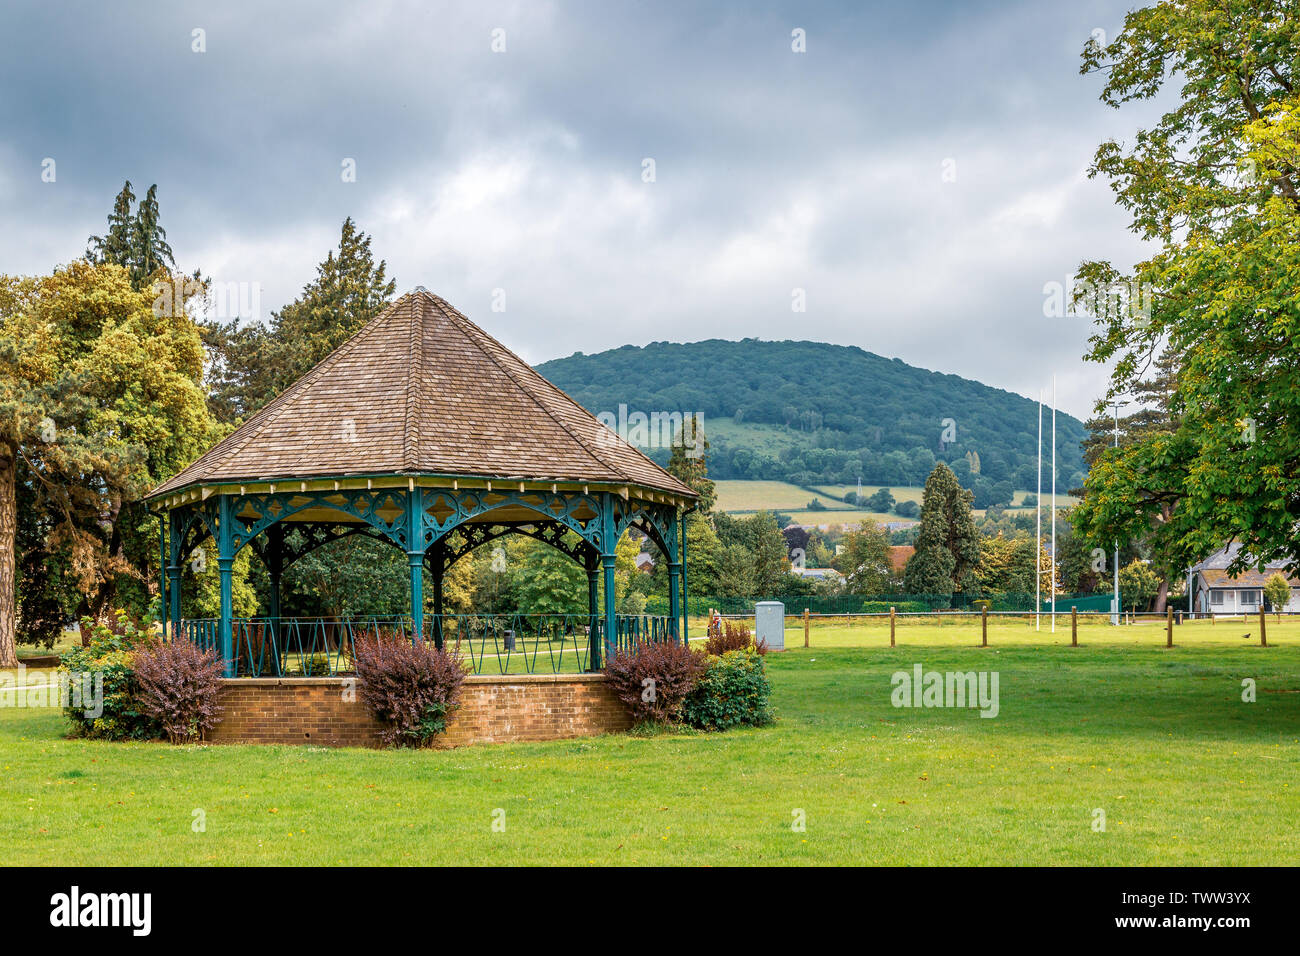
pixel 1215 185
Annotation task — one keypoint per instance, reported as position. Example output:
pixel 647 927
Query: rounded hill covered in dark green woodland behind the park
pixel 812 413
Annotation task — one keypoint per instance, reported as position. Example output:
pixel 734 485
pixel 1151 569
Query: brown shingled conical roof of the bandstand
pixel 423 391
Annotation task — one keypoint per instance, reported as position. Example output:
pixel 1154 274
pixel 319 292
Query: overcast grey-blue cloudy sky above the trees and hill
pixel 920 172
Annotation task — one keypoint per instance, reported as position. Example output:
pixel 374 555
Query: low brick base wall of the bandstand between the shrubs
pixel 493 711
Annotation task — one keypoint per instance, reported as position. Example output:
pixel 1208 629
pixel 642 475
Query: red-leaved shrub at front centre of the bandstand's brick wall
pixel 410 687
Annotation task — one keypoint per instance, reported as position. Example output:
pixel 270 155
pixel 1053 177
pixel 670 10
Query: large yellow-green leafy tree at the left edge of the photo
pixel 101 397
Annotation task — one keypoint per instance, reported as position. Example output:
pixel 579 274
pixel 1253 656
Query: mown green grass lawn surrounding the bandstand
pixel 1162 741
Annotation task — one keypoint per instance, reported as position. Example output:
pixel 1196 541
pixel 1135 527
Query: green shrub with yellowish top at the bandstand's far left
pixel 112 655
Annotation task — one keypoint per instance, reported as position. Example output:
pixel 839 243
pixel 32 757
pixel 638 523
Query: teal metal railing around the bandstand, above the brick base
pixel 488 643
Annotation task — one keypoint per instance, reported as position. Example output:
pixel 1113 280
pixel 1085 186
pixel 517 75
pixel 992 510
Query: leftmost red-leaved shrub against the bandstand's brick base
pixel 179 685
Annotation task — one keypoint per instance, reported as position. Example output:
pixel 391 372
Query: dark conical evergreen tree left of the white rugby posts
pixel 947 556
